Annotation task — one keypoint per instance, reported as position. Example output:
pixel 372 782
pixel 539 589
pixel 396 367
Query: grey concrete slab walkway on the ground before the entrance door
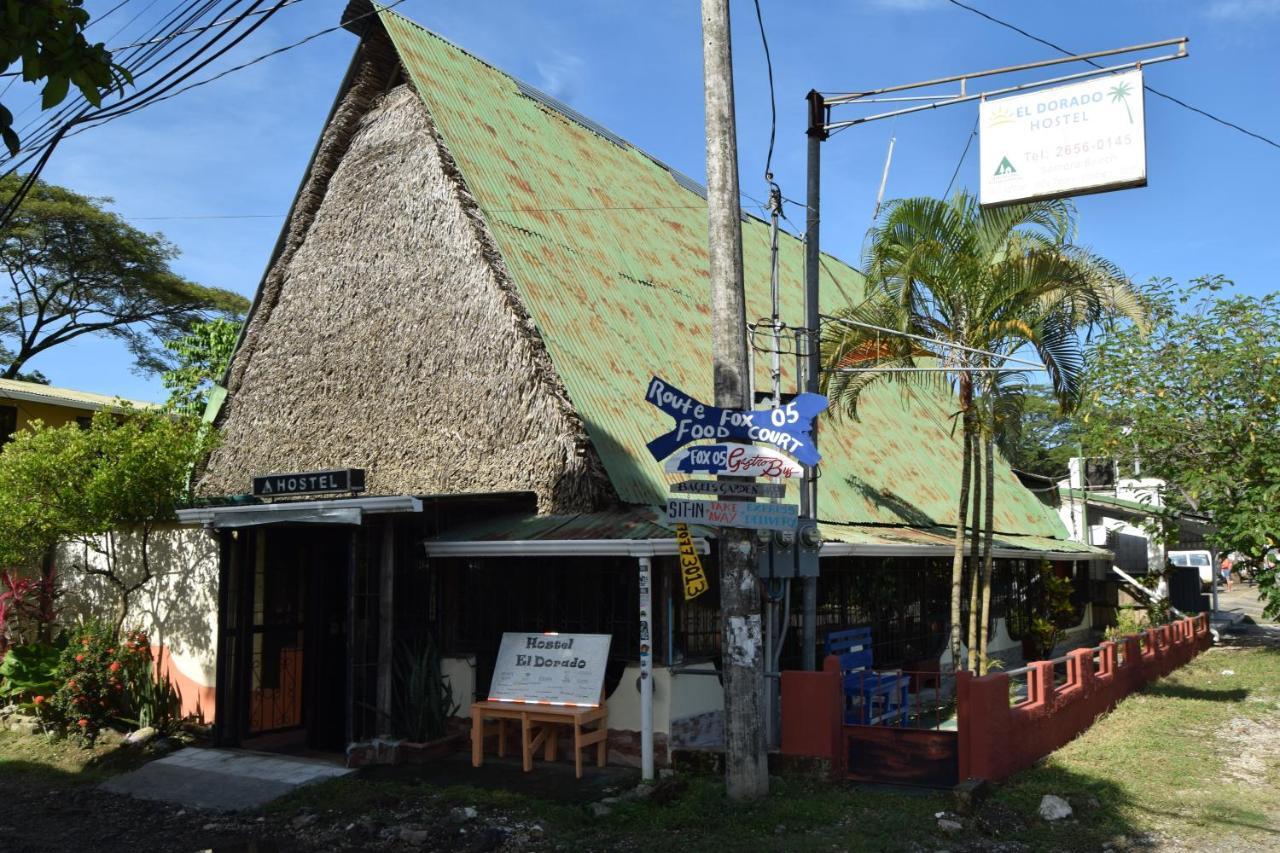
pixel 222 779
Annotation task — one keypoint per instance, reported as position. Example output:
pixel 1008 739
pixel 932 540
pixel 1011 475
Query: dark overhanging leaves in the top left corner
pixel 49 38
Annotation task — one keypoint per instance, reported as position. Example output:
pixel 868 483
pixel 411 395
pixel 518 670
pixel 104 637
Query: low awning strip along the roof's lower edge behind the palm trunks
pixel 874 541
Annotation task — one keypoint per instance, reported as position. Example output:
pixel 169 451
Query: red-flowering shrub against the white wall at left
pixel 93 677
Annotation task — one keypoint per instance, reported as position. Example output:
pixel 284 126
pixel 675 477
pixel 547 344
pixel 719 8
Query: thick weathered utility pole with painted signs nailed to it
pixel 747 773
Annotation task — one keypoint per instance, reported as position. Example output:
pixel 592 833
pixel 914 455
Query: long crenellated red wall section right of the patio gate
pixel 998 741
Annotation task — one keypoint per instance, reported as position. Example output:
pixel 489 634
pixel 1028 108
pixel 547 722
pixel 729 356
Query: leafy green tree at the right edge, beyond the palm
pixel 1196 402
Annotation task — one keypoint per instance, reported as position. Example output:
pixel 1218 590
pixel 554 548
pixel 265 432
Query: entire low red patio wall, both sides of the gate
pixel 998 740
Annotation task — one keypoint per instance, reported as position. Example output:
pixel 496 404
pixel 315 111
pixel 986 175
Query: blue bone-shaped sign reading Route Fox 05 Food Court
pixel 789 428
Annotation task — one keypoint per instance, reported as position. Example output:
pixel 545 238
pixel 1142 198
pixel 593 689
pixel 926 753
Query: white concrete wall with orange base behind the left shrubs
pixel 179 608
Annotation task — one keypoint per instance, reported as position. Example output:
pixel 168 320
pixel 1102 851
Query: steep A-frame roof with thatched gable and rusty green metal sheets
pixel 541 261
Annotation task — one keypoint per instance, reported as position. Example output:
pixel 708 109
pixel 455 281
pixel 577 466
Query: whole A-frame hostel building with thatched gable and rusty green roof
pixel 468 302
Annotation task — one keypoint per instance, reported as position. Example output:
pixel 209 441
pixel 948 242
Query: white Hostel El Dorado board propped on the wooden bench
pixel 551 669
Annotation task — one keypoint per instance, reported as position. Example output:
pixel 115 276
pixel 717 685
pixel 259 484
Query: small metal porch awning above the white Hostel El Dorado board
pixel 628 532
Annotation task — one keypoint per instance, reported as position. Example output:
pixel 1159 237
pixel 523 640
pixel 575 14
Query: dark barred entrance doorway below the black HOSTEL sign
pixel 292 642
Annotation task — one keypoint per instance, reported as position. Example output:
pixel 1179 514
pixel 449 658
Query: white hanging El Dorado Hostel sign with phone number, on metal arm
pixel 1063 142
